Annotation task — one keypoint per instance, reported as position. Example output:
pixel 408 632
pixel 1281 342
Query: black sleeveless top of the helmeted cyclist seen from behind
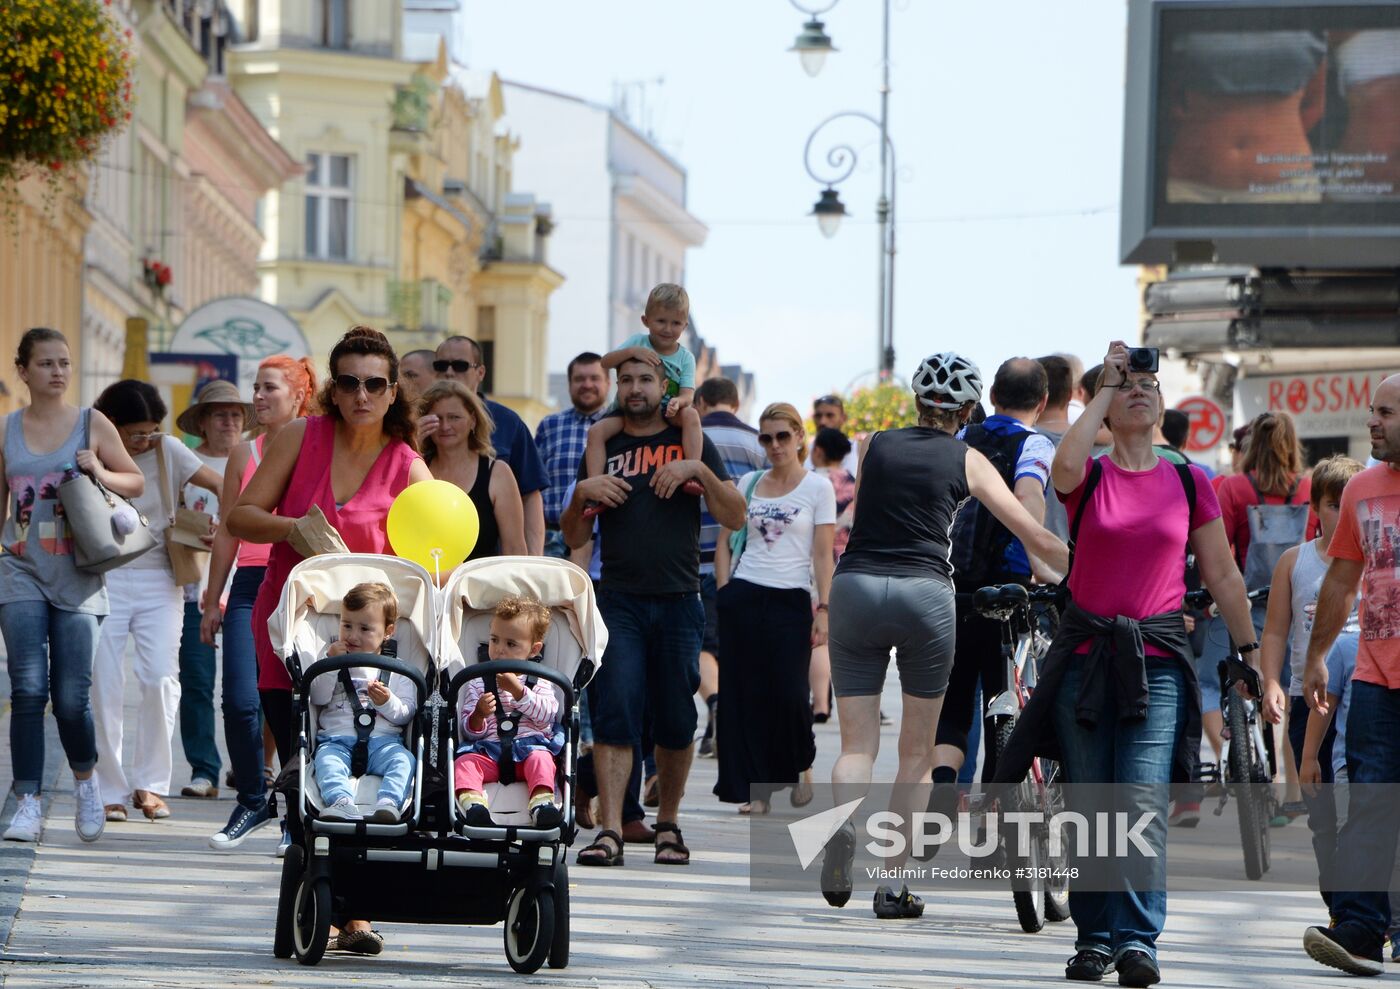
pixel 911 487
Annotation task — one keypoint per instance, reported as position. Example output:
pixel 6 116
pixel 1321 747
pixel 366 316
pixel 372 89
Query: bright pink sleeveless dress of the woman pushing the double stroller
pixel 362 523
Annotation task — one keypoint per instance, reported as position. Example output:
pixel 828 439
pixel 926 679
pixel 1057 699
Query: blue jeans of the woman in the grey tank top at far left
pixel 51 655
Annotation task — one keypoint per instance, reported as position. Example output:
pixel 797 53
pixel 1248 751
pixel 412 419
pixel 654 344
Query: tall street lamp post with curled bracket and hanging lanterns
pixel 813 47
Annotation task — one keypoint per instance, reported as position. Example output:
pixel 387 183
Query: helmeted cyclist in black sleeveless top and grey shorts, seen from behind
pixel 894 590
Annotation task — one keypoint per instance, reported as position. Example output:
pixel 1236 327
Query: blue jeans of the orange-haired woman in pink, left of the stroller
pixel 243 710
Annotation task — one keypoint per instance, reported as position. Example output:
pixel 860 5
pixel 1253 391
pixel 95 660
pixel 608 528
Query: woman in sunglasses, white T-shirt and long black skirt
pixel 766 621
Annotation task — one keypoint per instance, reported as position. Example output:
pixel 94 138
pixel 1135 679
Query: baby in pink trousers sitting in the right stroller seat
pixel 519 630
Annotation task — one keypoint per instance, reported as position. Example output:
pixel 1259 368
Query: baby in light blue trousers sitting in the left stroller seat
pixel 356 703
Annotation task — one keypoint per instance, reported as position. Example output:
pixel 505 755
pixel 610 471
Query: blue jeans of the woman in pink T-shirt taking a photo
pixel 1125 753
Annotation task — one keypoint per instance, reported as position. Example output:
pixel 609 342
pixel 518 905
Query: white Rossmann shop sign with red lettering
pixel 1325 404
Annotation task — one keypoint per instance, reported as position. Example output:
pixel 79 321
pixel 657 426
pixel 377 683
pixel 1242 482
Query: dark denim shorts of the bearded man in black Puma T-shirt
pixel 653 663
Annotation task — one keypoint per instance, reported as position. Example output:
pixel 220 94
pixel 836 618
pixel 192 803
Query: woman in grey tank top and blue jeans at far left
pixel 51 613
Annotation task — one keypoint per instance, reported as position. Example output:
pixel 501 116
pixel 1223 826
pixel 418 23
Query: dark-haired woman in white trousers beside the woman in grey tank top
pixel 148 606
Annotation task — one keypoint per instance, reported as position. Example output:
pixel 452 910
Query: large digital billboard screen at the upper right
pixel 1248 118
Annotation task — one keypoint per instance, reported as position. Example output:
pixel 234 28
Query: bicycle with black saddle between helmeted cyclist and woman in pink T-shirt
pixel 1039 882
